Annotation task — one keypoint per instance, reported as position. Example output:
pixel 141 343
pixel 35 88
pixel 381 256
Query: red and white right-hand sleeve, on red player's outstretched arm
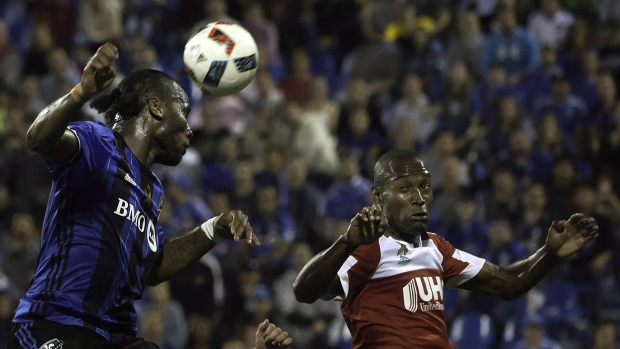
pixel 458 266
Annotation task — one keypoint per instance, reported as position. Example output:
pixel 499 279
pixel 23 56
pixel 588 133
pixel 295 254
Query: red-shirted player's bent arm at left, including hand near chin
pixel 319 277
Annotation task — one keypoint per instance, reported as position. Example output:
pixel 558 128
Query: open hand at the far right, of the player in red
pixel 568 237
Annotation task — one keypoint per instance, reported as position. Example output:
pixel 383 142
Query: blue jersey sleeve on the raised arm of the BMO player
pixel 96 144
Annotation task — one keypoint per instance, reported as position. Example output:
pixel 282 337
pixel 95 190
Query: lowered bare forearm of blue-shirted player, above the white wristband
pixel 179 253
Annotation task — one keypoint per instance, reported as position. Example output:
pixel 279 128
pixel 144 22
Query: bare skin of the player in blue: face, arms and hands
pixel 159 133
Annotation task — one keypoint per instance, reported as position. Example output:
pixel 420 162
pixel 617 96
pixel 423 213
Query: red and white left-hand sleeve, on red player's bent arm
pixel 358 268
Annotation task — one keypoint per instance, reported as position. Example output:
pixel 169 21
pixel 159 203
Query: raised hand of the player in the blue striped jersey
pixel 98 73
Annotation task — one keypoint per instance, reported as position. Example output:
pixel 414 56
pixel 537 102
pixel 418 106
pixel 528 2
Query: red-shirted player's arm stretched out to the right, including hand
pixel 512 281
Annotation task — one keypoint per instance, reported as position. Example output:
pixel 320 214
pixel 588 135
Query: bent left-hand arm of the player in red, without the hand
pixel 315 279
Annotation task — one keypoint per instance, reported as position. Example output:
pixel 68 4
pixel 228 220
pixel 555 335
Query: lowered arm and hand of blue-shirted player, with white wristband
pixel 179 253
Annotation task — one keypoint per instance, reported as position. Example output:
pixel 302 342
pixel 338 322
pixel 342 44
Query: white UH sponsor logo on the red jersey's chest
pixel 424 293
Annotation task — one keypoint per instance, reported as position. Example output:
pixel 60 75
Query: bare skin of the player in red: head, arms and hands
pixel 402 204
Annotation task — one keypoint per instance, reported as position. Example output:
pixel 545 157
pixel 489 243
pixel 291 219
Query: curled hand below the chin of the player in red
pixel 366 227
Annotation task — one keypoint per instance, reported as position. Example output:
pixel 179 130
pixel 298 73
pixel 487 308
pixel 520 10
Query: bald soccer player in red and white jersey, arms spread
pixel 389 272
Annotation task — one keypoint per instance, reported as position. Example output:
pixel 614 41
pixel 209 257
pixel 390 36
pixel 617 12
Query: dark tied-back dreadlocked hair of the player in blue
pixel 131 95
